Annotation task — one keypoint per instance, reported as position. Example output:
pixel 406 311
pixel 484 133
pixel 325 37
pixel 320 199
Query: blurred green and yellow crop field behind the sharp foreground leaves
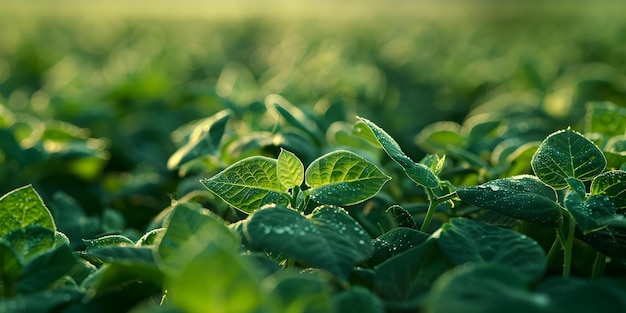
pixel 91 91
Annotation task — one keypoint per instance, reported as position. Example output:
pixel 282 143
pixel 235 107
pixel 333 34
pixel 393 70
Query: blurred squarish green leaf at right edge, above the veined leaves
pixel 605 118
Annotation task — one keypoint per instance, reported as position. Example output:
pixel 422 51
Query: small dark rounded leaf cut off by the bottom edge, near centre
pixel 358 300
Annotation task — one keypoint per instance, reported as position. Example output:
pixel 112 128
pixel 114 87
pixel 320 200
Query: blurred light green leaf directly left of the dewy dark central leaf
pixel 189 232
